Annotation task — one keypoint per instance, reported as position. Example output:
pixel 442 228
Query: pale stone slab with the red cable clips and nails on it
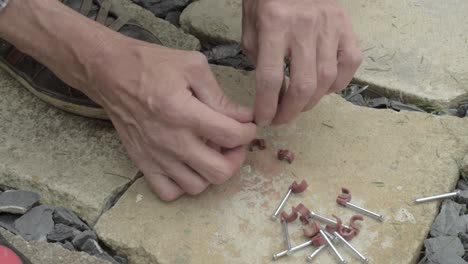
pixel 385 158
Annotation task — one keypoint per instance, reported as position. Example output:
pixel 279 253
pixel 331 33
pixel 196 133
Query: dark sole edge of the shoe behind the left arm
pixel 86 111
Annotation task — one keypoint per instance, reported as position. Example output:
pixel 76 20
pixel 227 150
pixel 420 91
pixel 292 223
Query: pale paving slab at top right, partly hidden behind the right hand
pixel 413 50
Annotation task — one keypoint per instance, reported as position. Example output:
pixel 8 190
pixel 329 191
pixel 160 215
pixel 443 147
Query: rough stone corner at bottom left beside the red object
pixel 47 253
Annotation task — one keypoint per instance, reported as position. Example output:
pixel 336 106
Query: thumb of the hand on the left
pixel 206 89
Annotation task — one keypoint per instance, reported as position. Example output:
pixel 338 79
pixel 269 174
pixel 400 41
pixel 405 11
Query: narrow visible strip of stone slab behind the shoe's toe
pixel 169 35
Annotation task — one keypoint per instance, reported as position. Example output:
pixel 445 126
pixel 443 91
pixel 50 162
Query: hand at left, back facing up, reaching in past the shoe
pixel 169 111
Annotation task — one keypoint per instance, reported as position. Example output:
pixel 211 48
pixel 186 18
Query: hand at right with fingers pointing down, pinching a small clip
pixel 316 36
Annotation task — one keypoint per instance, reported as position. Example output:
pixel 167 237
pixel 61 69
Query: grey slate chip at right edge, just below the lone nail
pixel 451 220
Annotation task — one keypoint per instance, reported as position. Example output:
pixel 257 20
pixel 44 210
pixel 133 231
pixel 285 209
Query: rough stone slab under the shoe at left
pixel 70 161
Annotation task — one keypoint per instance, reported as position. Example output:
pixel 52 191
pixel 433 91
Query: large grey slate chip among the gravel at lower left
pixel 36 224
